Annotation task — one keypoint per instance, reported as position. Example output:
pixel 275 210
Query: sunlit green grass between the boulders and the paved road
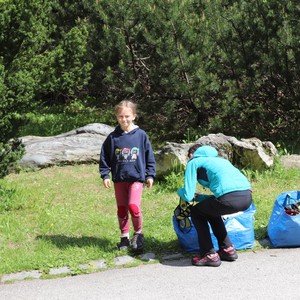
pixel 63 216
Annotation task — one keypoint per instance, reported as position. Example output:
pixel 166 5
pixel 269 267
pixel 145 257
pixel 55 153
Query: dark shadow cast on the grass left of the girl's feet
pixel 63 241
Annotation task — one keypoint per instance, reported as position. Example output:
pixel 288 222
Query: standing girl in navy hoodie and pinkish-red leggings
pixel 127 154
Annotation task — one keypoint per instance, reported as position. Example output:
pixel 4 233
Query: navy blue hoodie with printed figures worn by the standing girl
pixel 128 156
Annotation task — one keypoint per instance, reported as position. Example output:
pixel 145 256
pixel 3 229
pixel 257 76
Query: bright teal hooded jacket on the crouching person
pixel 213 172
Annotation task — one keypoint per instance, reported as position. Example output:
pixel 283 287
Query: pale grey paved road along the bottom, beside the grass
pixel 265 274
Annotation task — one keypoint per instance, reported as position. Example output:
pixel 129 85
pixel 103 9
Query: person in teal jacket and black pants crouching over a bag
pixel 231 193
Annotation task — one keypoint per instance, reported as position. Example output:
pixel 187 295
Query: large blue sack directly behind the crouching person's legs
pixel 240 228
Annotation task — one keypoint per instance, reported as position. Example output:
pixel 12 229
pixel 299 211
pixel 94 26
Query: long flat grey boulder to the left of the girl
pixel 81 145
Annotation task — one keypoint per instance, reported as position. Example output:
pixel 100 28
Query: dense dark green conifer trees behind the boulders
pixel 193 67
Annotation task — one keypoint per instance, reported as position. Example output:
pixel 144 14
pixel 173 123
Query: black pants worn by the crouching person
pixel 210 210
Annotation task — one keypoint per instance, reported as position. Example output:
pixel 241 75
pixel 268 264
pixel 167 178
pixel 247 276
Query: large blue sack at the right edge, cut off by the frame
pixel 283 228
